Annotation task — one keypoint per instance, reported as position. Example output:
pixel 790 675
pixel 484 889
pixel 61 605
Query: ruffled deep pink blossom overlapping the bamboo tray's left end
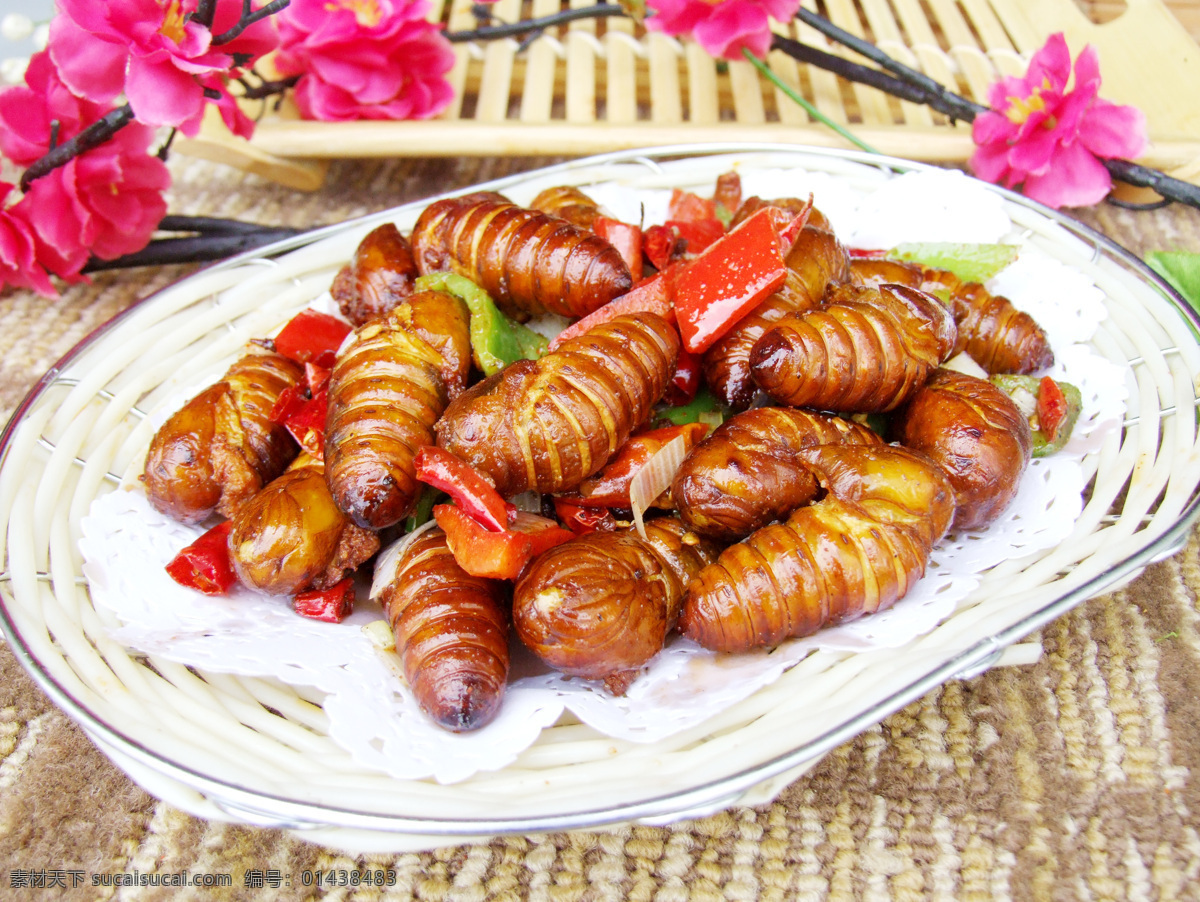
pixel 365 59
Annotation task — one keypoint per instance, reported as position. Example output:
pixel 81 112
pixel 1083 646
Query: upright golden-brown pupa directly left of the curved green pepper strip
pixel 387 390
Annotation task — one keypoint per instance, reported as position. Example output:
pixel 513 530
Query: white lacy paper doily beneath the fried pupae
pixel 127 545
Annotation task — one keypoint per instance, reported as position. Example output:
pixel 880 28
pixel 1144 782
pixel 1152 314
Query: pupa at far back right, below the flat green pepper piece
pixel 997 335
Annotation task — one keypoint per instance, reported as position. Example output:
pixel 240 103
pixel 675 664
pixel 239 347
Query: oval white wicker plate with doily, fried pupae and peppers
pixel 620 491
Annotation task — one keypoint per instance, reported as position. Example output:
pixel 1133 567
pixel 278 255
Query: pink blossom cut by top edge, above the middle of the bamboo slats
pixel 725 27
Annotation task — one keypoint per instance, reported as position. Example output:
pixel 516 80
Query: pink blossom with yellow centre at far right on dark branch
pixel 1047 140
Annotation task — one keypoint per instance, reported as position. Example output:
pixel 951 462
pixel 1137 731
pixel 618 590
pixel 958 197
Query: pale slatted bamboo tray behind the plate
pixel 603 86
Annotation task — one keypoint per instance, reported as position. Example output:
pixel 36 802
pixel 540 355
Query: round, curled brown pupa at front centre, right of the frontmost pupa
pixel 602 605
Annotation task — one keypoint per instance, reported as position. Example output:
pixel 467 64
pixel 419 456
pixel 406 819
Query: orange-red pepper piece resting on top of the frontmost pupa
pixel 497 556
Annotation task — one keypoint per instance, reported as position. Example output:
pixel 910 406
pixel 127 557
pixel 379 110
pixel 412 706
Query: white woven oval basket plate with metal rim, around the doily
pixel 257 750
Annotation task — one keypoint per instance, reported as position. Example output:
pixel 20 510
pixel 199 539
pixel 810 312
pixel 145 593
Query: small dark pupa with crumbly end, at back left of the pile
pixel 379 278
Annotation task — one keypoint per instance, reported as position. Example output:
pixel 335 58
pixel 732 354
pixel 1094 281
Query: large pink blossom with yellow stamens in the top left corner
pixel 155 52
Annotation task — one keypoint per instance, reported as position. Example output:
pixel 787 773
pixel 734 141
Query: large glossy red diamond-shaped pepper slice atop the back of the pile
pixel 728 281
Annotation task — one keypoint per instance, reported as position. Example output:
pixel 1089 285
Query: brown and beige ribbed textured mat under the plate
pixel 1073 778
